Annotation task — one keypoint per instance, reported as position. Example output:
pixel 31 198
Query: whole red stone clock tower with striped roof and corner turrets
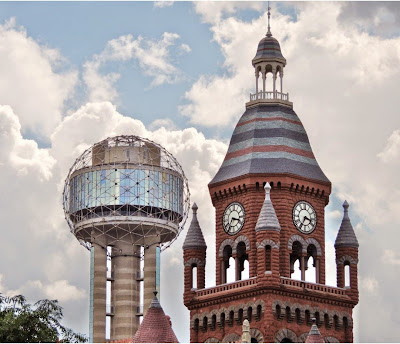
pixel 270 196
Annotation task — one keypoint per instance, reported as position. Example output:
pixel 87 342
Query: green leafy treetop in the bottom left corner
pixel 23 323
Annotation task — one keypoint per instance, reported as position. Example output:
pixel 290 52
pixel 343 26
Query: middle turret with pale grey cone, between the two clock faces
pixel 268 233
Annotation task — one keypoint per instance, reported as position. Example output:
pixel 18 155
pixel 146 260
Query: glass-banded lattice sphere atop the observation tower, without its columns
pixel 126 190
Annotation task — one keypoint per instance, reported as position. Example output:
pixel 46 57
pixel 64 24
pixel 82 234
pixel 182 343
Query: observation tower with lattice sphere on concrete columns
pixel 125 199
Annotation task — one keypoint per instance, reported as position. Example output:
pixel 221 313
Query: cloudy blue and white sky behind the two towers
pixel 179 73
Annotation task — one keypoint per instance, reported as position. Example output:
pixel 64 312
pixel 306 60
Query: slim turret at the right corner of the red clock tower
pixel 346 246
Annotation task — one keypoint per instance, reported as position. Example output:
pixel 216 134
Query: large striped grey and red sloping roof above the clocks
pixel 269 139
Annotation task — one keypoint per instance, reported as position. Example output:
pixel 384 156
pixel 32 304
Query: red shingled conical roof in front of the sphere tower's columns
pixel 155 327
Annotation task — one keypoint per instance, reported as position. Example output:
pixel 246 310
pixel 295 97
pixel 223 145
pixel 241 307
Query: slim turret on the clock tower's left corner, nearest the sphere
pixel 194 258
